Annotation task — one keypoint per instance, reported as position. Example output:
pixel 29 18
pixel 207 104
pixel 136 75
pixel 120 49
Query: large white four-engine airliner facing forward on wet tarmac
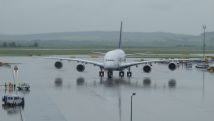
pixel 115 60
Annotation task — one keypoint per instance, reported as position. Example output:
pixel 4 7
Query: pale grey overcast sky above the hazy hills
pixel 42 16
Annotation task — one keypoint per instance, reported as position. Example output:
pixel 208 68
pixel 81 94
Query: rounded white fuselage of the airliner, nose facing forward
pixel 113 59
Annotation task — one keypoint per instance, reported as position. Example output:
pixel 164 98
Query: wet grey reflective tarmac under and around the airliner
pixel 68 95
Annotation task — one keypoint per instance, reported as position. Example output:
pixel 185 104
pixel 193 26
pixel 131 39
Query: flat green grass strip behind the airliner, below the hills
pixel 141 52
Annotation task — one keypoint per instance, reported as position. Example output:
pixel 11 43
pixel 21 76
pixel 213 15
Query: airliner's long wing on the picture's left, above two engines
pixel 79 61
